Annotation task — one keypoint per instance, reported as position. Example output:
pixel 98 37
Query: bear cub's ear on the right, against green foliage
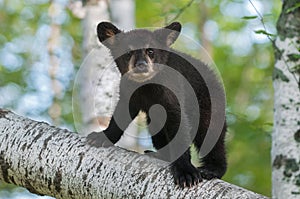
pixel 169 34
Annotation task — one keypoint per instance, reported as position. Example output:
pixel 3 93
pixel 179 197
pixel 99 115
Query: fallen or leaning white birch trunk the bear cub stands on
pixel 51 161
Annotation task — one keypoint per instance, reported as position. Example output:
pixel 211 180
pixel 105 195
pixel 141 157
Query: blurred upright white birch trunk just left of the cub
pixel 98 78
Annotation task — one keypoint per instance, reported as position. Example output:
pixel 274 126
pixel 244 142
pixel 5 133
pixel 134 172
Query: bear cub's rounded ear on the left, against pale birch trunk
pixel 106 33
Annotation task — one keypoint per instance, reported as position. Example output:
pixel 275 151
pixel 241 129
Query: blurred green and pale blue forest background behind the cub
pixel 42 48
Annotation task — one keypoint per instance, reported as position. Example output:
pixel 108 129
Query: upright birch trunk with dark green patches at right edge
pixel 286 134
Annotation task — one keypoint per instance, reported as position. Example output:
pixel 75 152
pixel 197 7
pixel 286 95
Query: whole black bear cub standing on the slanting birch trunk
pixel 155 74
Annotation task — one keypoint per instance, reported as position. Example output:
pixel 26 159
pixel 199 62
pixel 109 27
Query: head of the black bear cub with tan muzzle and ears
pixel 139 54
